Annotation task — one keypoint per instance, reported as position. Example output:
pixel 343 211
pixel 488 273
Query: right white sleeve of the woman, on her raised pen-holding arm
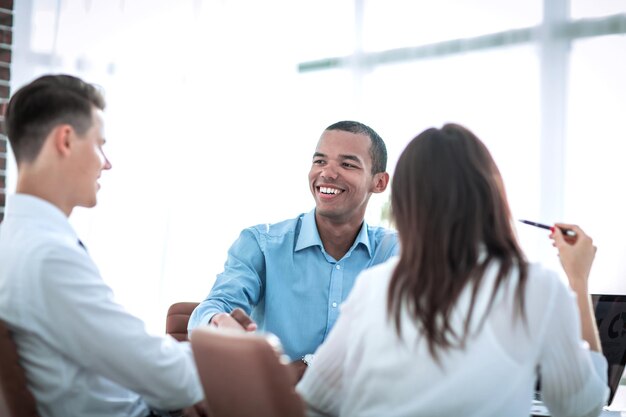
pixel 573 378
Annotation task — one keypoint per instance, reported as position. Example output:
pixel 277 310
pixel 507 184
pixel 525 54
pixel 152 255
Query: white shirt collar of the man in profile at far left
pixel 29 207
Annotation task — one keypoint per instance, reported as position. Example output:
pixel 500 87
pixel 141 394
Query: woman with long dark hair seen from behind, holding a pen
pixel 460 323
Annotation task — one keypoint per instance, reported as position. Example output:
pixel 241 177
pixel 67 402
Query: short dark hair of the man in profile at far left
pixel 50 100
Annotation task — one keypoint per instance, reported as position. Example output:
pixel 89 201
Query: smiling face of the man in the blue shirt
pixel 340 178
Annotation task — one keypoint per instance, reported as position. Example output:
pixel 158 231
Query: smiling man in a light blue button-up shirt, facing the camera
pixel 292 276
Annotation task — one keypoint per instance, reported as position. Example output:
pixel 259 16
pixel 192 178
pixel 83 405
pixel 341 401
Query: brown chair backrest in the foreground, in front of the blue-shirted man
pixel 242 375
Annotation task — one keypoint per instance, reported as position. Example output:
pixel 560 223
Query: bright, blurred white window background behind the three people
pixel 215 108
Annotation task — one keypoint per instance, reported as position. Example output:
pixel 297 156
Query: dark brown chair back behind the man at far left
pixel 16 400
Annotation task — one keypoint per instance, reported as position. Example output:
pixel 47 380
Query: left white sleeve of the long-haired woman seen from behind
pixel 321 387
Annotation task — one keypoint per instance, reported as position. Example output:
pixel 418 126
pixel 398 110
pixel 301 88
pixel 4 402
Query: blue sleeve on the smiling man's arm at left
pixel 240 285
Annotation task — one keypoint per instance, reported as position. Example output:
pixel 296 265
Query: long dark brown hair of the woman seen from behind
pixel 453 220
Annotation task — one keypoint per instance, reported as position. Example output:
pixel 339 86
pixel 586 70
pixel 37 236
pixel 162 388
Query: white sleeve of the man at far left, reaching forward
pixel 84 322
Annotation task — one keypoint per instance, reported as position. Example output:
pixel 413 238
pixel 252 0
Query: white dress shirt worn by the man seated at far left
pixel 84 355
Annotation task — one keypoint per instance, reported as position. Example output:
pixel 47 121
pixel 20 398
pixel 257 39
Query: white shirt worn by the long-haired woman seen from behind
pixel 364 369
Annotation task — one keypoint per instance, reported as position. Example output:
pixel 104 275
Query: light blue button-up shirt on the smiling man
pixel 281 275
